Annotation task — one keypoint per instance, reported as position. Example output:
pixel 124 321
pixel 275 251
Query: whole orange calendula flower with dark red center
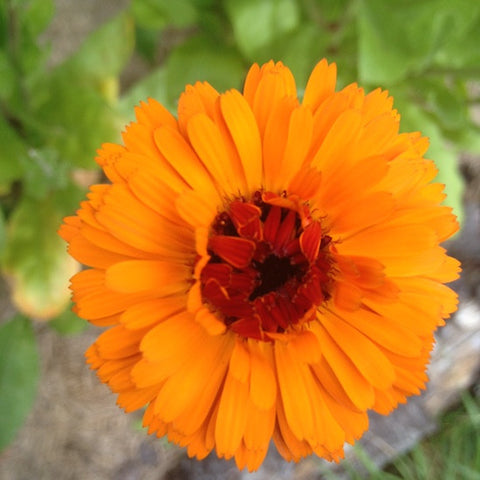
pixel 267 267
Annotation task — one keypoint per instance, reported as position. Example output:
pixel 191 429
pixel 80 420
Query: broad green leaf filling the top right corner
pixel 397 39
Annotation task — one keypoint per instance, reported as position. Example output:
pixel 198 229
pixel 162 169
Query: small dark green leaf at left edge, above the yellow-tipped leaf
pixel 12 153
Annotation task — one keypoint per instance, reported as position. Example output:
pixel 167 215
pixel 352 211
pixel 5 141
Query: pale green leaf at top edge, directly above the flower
pixel 257 24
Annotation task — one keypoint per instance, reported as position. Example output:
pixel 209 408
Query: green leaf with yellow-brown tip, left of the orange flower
pixel 36 261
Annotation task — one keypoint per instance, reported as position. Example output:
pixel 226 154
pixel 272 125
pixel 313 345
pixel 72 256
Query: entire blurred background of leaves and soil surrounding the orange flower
pixel 71 73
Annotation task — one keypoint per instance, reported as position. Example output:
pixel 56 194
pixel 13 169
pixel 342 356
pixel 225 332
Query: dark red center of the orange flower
pixel 270 265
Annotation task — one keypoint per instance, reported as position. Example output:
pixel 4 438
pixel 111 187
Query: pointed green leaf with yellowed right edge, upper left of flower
pixel 76 102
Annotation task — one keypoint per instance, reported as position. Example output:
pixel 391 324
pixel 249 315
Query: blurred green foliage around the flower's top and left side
pixel 52 119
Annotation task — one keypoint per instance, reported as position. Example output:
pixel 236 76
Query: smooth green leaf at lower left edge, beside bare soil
pixel 19 371
